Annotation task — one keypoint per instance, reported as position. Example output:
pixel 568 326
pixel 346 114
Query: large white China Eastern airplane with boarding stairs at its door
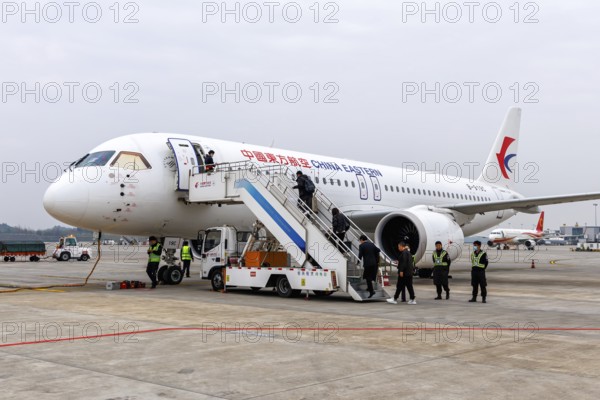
pixel 130 186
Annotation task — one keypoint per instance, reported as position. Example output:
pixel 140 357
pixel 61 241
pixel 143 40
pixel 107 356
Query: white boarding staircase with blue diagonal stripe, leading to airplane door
pixel 305 234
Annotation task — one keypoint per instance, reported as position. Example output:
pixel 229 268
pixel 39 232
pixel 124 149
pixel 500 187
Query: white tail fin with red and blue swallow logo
pixel 500 167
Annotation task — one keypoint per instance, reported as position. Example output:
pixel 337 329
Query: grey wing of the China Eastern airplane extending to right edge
pixel 526 205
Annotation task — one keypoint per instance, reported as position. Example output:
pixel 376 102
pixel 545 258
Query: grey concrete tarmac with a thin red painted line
pixel 538 336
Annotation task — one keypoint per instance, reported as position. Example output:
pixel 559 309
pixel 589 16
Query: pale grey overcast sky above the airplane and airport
pixel 373 51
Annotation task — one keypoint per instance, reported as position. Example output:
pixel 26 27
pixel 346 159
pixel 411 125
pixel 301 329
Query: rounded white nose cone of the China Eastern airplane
pixel 66 201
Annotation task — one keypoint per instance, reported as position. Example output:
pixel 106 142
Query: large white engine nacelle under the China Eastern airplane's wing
pixel 423 228
